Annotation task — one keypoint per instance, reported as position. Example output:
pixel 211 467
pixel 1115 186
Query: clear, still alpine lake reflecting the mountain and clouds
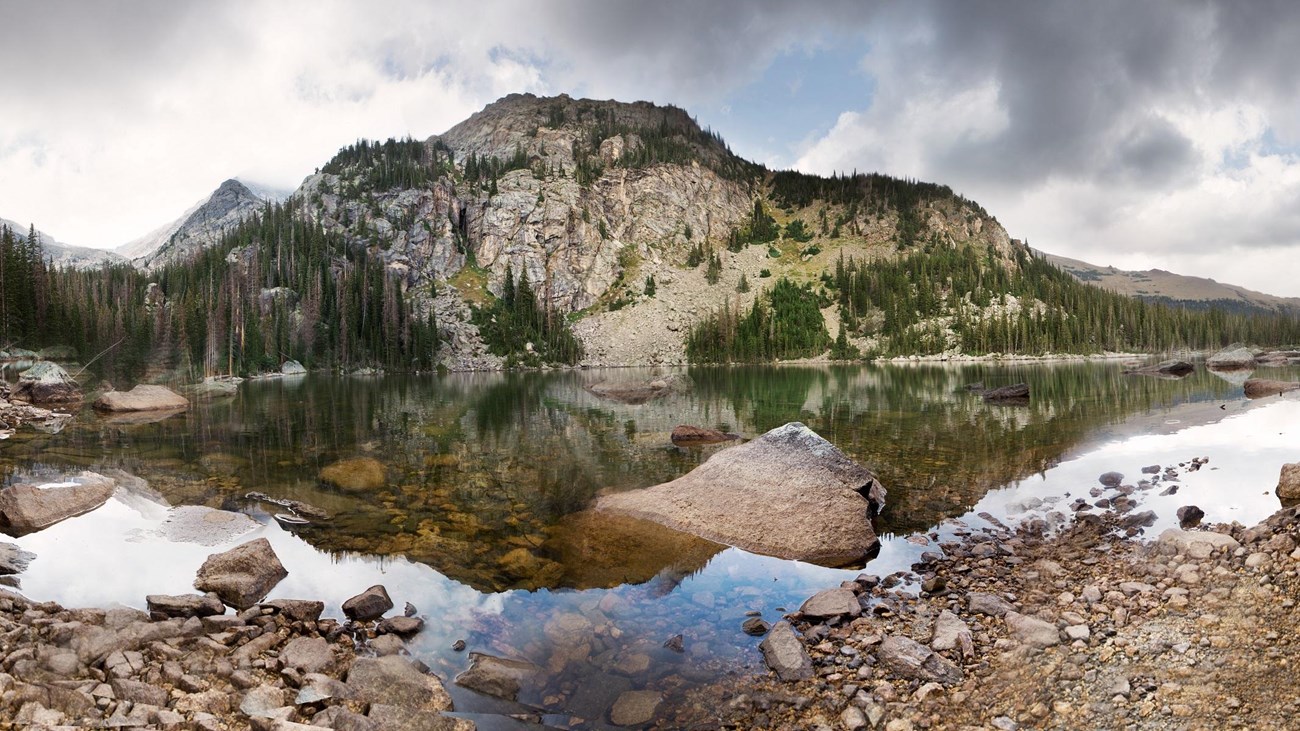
pixel 482 524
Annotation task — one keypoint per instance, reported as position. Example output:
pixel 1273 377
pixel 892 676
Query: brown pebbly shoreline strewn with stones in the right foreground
pixel 1016 628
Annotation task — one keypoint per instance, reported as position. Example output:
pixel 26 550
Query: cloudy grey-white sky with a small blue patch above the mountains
pixel 1156 135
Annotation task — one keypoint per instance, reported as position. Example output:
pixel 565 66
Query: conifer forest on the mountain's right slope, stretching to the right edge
pixel 913 304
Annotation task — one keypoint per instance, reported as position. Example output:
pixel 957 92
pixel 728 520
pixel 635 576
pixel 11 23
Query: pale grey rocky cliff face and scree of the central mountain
pixel 590 200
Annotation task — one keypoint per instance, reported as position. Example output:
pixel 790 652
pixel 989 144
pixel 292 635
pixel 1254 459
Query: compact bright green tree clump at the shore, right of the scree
pixel 783 323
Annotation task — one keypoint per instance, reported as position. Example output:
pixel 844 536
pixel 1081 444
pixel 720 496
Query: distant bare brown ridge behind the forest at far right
pixel 1159 286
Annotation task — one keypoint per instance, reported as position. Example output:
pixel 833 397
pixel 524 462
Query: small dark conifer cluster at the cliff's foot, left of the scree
pixel 525 331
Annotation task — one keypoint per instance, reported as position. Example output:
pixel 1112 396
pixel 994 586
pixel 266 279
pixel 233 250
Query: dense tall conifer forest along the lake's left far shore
pixel 276 288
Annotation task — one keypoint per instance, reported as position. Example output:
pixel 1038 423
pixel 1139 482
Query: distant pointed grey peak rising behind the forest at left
pixel 198 228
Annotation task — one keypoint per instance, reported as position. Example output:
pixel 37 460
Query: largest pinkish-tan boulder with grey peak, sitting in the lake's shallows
pixel 788 494
